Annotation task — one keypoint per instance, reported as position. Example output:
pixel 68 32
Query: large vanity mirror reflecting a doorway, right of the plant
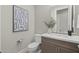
pixel 63 18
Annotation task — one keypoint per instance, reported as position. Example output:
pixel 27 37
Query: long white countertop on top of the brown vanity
pixel 63 37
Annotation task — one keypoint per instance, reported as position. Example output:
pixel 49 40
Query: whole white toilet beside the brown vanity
pixel 33 47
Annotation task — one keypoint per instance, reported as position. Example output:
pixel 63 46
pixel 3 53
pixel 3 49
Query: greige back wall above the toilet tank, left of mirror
pixel 42 13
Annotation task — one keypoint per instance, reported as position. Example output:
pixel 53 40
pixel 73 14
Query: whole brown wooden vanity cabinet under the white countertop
pixel 50 45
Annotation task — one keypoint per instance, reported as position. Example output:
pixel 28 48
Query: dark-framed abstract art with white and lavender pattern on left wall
pixel 20 19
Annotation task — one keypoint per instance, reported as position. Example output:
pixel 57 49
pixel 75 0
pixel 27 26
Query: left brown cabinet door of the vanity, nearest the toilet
pixel 49 48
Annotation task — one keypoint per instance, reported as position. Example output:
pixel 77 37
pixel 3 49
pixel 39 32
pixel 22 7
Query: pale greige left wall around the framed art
pixel 8 37
